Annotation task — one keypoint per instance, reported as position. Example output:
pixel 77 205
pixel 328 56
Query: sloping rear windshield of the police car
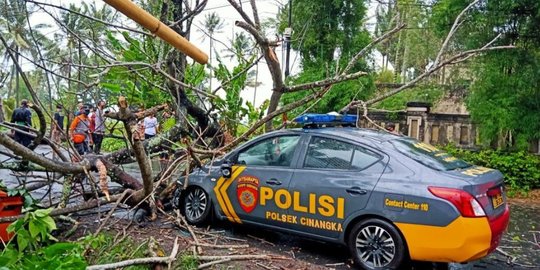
pixel 429 155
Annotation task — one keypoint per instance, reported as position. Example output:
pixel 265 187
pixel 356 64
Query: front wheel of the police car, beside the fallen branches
pixel 196 206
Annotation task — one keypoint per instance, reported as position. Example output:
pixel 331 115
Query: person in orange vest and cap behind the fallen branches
pixel 79 131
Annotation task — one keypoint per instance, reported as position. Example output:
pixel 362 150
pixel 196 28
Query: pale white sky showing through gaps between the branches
pixel 267 9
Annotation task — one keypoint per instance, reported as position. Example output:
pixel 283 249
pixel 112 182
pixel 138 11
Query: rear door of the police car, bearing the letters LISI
pixel 334 178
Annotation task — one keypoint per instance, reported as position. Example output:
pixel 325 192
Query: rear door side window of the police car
pixel 333 154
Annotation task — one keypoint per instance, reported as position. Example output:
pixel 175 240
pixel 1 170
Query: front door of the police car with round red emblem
pixel 263 170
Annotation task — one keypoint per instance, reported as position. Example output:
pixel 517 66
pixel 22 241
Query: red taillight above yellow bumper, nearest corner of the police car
pixel 466 204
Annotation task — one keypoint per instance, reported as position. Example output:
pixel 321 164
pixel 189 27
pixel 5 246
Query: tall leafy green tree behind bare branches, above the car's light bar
pixel 327 34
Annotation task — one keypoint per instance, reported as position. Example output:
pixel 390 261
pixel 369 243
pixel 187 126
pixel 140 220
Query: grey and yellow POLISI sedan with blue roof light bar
pixel 389 198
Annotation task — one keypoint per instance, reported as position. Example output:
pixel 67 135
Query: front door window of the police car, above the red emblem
pixel 275 151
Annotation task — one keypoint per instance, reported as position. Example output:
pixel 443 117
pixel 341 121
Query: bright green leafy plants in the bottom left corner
pixel 35 247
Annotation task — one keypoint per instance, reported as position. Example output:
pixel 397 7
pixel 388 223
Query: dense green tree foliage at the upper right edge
pixel 504 98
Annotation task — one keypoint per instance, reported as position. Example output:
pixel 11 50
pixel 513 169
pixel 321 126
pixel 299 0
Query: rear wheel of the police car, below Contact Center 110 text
pixel 376 244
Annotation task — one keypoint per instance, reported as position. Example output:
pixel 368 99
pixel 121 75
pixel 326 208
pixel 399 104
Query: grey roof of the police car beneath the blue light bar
pixel 356 134
